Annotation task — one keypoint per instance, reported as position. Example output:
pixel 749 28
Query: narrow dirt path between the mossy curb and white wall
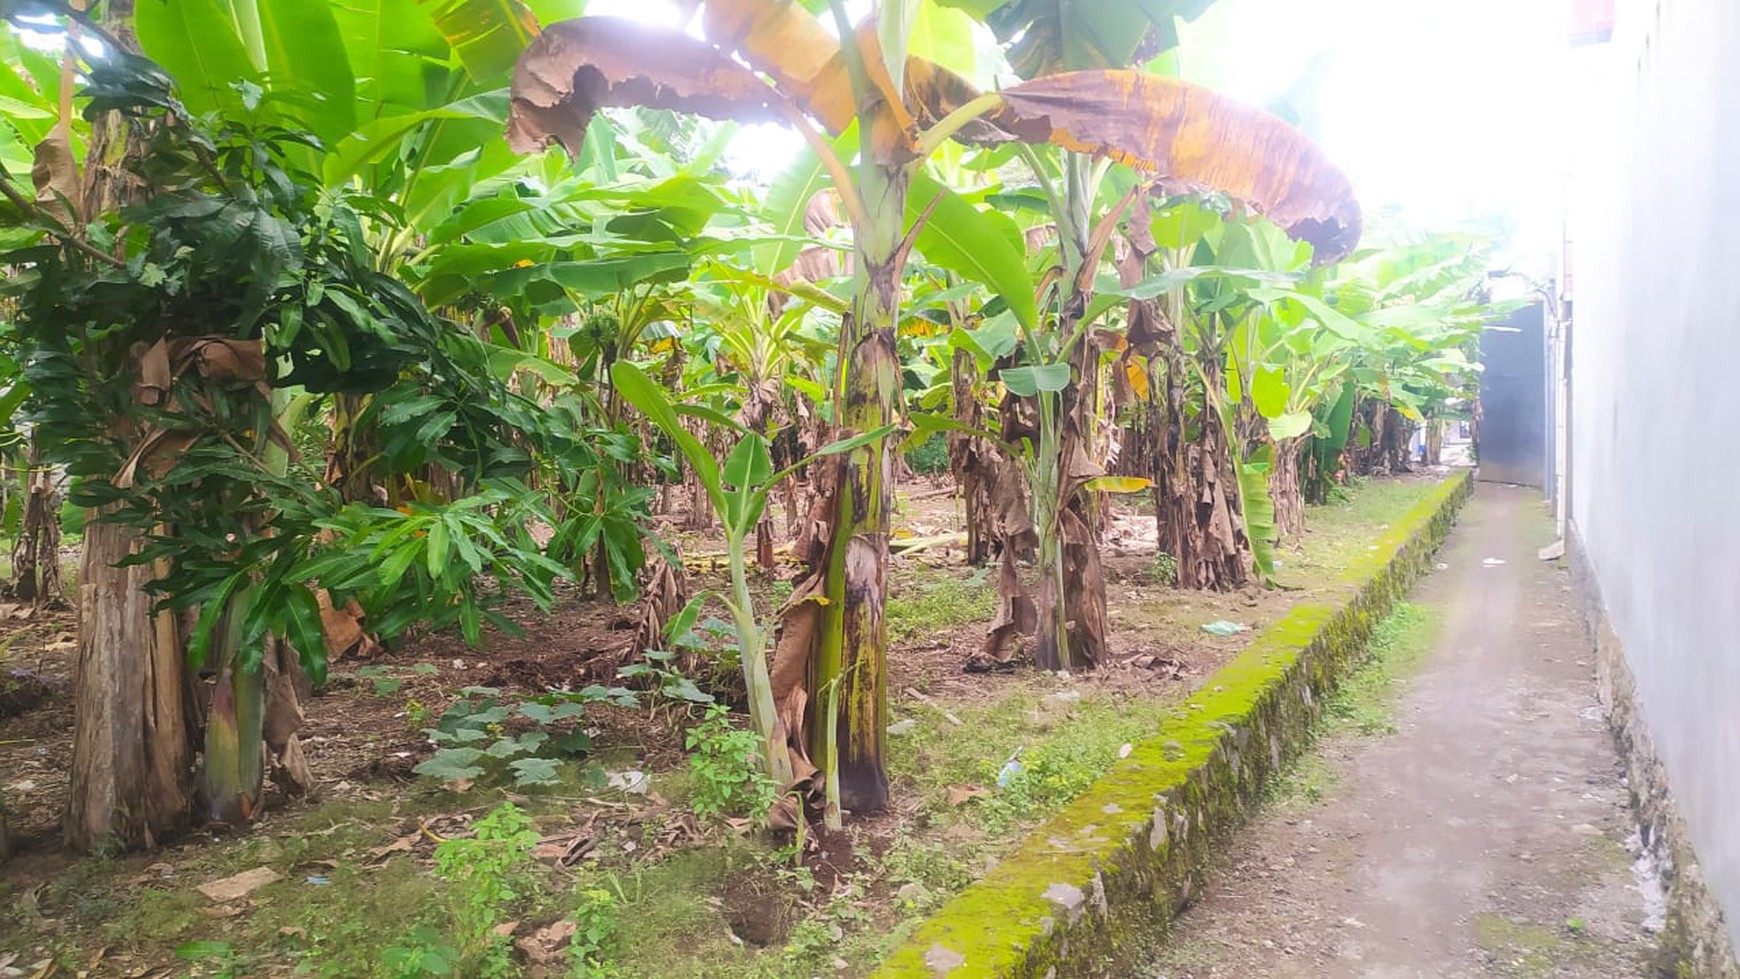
pixel 1483 839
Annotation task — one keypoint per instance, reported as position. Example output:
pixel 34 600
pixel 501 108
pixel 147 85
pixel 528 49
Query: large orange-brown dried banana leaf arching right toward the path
pixel 1195 140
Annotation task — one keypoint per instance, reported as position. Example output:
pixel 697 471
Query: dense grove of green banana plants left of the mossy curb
pixel 351 323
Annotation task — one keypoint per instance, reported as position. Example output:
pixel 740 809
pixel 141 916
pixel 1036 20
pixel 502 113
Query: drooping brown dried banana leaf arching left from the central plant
pixel 579 67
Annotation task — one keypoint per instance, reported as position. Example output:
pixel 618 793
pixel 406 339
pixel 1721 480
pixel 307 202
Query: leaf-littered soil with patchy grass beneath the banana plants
pixel 700 898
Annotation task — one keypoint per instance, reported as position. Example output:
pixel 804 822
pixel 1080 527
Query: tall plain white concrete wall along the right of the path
pixel 1656 390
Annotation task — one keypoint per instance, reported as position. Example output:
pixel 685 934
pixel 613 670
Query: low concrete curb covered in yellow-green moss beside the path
pixel 1104 877
